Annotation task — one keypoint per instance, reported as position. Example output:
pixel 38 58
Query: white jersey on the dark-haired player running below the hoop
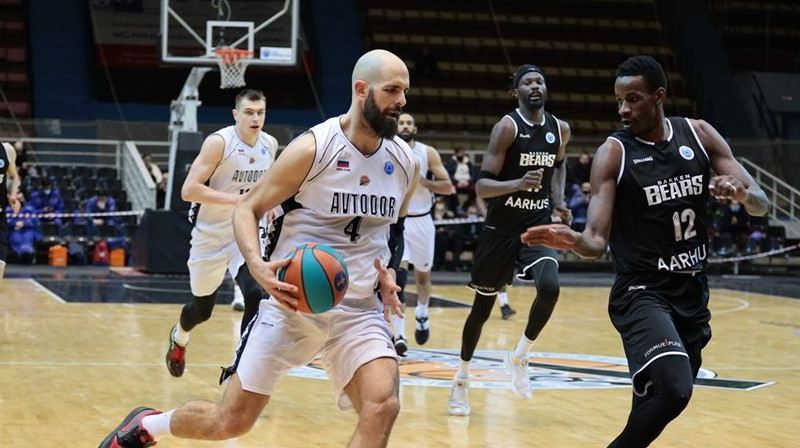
pixel 241 166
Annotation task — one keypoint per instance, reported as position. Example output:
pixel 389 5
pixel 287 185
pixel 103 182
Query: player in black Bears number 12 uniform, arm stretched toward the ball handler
pixel 650 182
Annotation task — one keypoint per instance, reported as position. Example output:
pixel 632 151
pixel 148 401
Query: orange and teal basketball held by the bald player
pixel 320 275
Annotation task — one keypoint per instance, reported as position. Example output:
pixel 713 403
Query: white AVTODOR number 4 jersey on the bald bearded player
pixel 347 201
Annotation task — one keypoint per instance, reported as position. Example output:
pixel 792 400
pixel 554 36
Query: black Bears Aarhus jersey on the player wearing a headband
pixel 535 146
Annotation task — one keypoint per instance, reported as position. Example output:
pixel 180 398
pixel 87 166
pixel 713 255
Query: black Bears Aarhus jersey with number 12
pixel 659 221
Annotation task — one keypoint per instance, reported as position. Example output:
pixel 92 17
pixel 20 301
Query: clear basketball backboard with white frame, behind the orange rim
pixel 191 30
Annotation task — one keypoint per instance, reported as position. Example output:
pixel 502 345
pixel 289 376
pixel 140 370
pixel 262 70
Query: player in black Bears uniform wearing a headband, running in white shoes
pixel 522 178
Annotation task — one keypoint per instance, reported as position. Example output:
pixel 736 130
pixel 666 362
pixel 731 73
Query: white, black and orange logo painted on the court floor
pixel 566 371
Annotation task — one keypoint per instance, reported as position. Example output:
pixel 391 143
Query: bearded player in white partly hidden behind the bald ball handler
pixel 420 233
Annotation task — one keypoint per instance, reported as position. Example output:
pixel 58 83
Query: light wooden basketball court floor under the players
pixel 72 371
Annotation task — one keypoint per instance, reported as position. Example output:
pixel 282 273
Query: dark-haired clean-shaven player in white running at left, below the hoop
pixel 230 162
